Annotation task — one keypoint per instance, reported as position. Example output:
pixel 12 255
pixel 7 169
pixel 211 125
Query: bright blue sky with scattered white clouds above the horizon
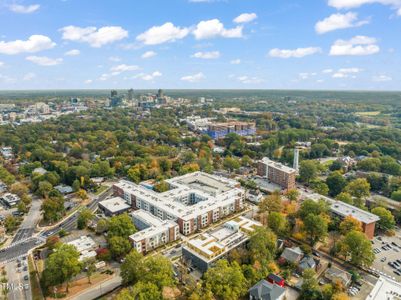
pixel 185 44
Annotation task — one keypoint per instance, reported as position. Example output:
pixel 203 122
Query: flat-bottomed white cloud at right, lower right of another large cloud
pixel 358 45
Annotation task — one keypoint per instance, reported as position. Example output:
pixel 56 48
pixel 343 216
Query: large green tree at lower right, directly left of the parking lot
pixel 356 246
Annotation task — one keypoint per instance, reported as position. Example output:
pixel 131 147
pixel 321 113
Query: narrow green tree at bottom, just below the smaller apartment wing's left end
pixel 132 268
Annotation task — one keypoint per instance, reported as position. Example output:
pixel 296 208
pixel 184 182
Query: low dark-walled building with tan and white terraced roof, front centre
pixel 204 250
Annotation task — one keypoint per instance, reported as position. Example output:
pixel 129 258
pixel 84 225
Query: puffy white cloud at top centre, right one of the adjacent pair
pixel 214 28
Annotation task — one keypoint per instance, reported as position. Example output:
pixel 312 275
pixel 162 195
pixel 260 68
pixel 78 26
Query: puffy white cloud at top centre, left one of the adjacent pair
pixel 162 34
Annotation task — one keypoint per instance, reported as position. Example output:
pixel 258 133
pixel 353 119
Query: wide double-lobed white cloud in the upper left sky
pixel 94 37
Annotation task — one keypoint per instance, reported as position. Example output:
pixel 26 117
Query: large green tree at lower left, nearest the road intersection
pixel 62 265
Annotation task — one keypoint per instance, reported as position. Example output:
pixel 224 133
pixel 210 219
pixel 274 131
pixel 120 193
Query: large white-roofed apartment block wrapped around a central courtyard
pixel 194 200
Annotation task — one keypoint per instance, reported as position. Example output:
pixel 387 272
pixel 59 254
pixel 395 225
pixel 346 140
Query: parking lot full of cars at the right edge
pixel 388 251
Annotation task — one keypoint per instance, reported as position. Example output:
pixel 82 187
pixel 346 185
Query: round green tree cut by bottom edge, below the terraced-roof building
pixel 226 281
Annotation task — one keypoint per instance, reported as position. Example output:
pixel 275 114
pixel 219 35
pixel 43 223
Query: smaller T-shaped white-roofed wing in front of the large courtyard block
pixel 153 232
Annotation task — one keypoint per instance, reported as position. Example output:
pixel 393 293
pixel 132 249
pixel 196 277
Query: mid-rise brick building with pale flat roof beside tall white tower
pixel 277 173
